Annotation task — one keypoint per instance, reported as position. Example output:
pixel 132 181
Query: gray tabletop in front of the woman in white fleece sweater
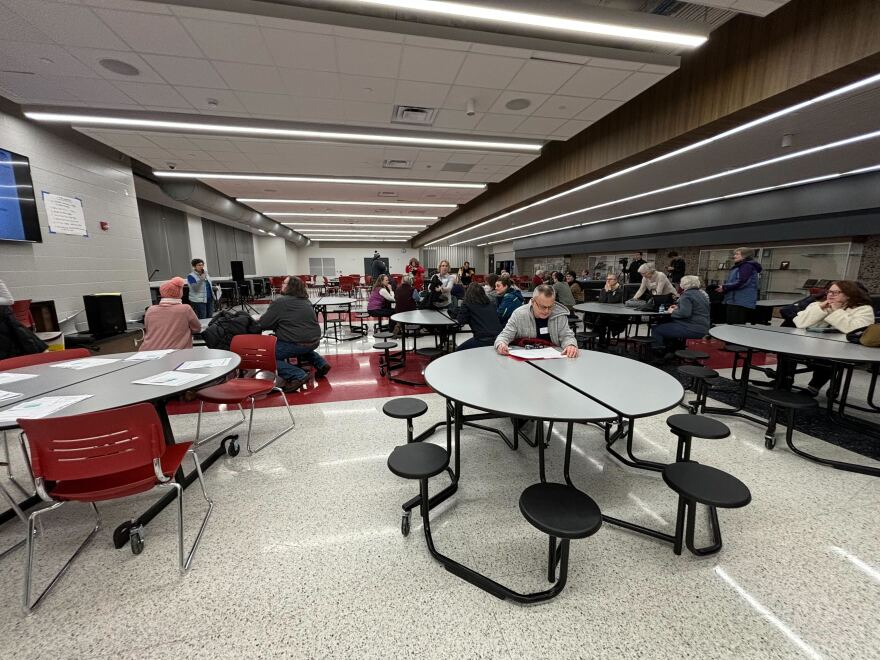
pixel 794 341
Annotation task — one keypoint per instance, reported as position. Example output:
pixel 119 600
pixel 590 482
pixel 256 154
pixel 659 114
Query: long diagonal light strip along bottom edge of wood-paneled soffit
pixel 864 82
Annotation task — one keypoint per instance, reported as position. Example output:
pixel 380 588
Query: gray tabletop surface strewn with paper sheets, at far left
pixel 114 389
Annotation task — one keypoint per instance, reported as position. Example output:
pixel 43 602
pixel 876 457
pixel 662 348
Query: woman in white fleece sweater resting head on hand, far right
pixel 846 308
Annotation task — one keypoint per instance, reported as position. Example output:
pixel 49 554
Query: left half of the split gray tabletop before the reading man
pixel 480 378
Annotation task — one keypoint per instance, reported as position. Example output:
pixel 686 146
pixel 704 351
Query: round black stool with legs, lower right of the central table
pixel 696 483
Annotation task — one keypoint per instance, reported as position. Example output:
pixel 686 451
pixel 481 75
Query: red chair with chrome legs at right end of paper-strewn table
pixel 257 353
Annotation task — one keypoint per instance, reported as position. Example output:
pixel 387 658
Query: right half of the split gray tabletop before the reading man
pixel 634 388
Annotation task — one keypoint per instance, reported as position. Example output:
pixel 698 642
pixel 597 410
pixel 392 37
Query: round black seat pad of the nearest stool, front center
pixel 560 510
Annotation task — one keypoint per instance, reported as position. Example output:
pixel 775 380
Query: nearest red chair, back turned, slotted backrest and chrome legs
pixel 104 456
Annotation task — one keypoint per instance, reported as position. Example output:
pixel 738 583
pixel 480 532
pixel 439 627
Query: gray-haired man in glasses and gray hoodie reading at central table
pixel 543 318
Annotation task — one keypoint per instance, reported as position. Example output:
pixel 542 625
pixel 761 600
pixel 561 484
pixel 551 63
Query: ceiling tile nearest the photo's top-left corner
pixel 67 24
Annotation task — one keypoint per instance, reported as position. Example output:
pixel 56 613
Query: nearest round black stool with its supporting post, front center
pixel 562 512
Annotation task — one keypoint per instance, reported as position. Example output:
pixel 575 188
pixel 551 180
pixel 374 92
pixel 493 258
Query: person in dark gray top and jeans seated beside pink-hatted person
pixel 293 320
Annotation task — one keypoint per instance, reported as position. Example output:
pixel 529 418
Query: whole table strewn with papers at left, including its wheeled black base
pixel 110 386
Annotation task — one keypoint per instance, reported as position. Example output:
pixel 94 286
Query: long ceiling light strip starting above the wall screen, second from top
pixel 208 127
